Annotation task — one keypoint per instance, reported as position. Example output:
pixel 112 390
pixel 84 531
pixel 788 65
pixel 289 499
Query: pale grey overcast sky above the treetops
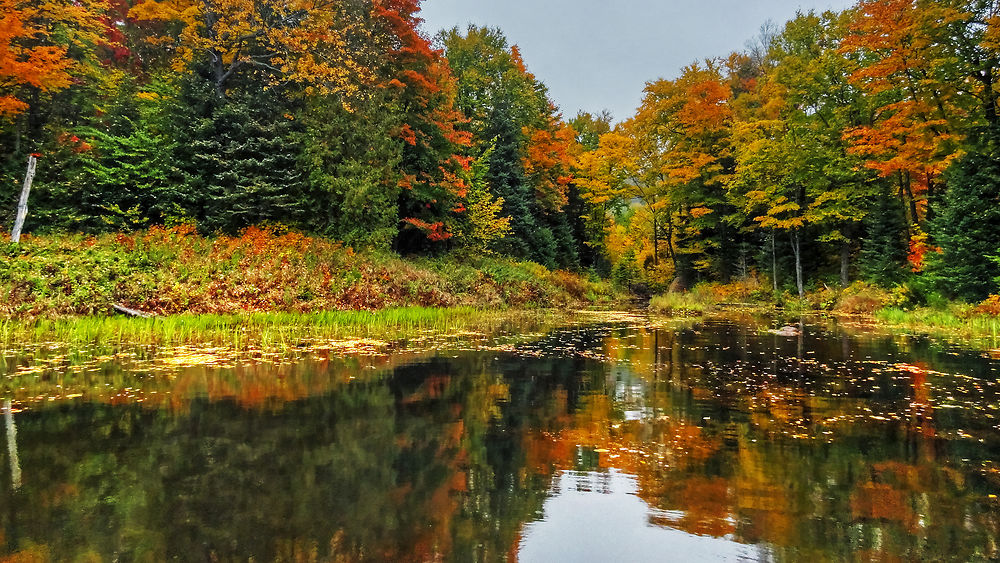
pixel 599 54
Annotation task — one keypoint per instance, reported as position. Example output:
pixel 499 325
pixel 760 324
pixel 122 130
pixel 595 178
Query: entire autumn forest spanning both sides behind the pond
pixel 835 148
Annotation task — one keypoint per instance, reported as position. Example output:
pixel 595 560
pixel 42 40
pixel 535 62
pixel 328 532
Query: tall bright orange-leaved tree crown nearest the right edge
pixel 911 65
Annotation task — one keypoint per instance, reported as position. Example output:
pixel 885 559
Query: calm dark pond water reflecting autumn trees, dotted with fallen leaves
pixel 607 442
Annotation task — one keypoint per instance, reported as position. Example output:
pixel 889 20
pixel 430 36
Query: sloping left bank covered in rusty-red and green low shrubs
pixel 178 271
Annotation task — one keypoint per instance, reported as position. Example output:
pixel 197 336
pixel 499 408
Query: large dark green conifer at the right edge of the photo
pixel 966 225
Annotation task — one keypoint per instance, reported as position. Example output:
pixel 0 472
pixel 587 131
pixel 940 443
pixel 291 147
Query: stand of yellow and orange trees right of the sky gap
pixel 859 144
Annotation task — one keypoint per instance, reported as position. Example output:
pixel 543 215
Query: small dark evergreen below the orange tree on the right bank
pixel 884 248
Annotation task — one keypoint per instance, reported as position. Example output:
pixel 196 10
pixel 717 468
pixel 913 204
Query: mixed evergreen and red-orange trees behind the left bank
pixel 338 118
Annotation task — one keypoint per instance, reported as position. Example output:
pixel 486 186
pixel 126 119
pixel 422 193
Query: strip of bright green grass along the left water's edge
pixel 263 330
